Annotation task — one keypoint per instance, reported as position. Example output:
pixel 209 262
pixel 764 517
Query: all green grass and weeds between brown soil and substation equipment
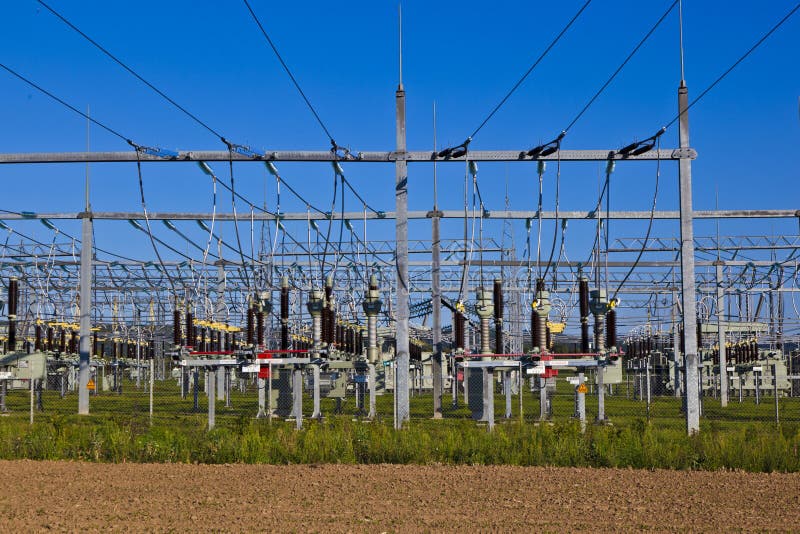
pixel 740 437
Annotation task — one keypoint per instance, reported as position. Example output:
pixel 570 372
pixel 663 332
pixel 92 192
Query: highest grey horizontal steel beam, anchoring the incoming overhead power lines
pixel 296 155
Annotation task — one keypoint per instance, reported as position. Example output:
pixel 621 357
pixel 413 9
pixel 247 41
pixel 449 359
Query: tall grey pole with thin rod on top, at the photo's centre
pixel 401 230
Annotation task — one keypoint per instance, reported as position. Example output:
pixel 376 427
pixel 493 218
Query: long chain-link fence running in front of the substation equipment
pixel 162 388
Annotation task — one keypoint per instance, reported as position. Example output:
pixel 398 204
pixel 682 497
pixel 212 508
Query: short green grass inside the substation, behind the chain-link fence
pixel 621 410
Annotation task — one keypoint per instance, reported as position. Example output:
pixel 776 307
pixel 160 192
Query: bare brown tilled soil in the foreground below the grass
pixel 71 496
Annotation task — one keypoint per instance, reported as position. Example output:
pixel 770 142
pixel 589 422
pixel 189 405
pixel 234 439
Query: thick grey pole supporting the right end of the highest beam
pixel 691 358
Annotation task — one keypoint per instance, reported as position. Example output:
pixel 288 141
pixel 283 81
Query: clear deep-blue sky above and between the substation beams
pixel 210 57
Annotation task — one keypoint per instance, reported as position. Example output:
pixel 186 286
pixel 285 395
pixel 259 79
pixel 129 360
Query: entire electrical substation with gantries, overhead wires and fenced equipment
pixel 379 311
